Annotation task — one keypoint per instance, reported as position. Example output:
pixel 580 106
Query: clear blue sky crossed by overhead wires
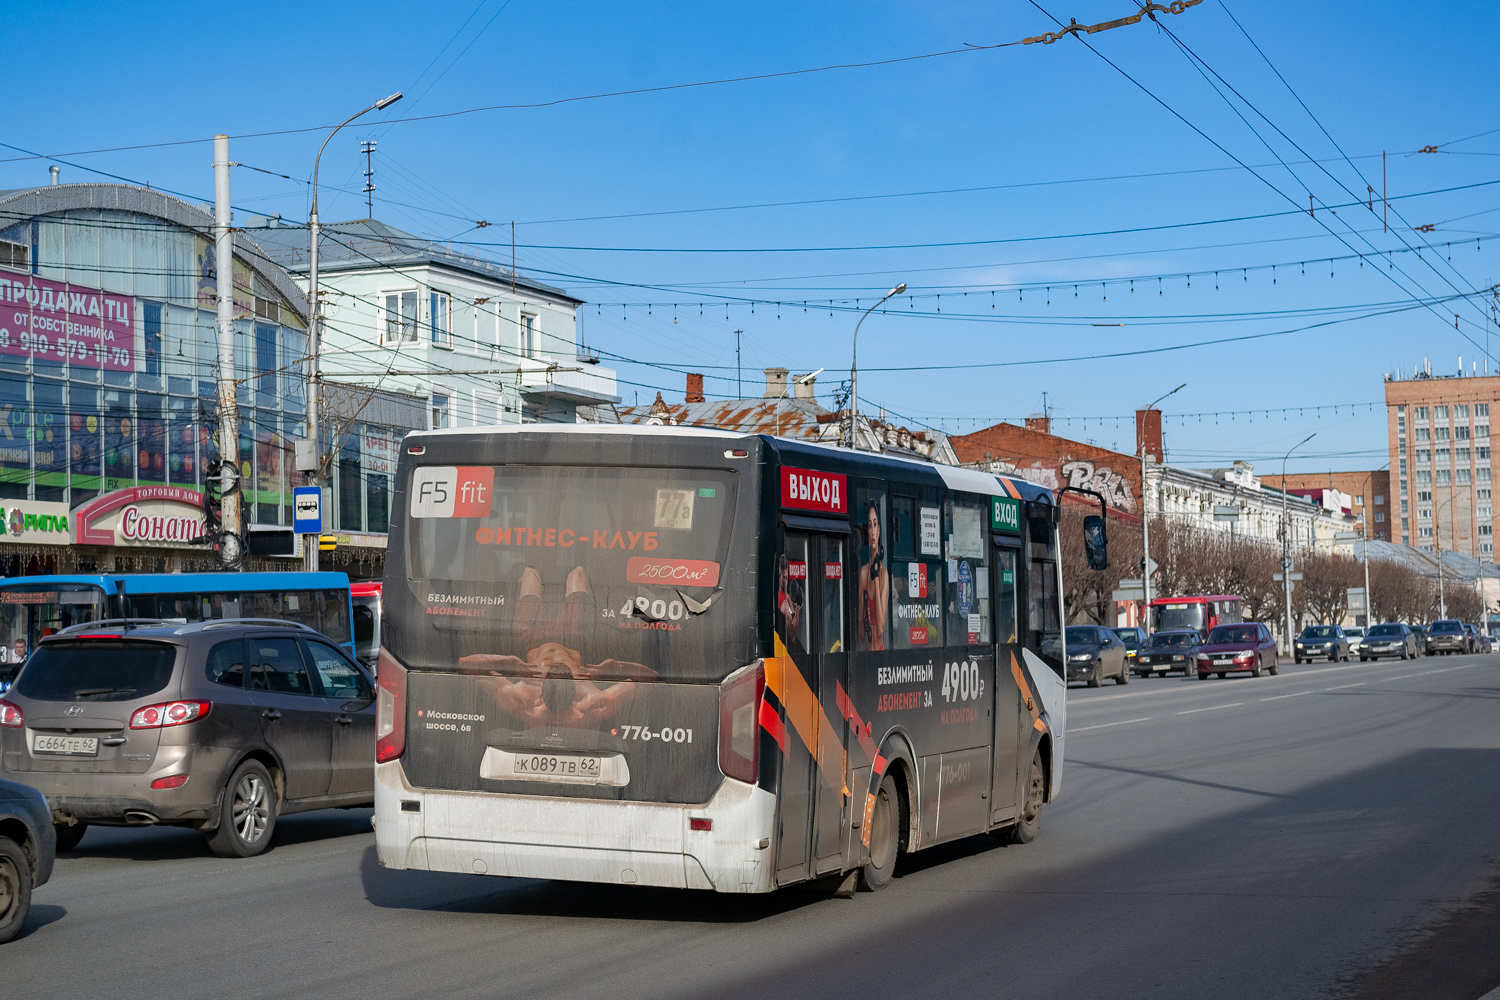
pixel 1379 77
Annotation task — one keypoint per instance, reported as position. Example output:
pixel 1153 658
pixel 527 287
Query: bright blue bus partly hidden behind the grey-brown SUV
pixel 35 606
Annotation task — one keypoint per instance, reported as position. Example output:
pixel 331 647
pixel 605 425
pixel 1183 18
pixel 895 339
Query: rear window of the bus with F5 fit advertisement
pixel 620 567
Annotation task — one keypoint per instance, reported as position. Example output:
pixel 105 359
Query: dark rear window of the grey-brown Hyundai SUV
pixel 97 671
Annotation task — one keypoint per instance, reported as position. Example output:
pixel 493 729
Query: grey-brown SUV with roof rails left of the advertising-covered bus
pixel 221 726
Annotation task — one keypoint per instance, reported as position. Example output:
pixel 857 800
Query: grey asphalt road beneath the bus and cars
pixel 1271 837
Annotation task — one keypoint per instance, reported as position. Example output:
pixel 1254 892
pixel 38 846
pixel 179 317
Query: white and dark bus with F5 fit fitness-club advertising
pixel 694 659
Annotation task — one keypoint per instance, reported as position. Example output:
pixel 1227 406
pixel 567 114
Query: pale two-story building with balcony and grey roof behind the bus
pixel 479 343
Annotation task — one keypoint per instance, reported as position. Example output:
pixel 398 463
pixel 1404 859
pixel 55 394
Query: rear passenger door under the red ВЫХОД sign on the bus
pixel 811 620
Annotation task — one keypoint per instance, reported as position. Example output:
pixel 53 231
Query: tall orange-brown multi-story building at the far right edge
pixel 1441 467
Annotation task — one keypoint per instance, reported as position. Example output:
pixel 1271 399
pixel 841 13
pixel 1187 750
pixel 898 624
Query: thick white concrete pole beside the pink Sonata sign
pixel 230 542
